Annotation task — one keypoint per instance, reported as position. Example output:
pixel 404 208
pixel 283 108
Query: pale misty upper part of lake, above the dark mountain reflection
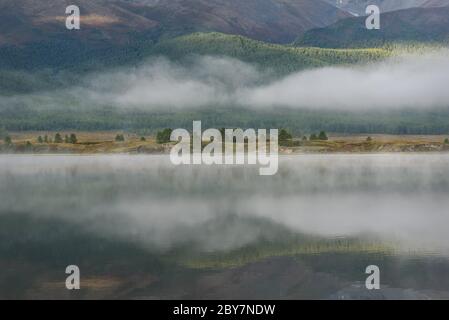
pixel 145 200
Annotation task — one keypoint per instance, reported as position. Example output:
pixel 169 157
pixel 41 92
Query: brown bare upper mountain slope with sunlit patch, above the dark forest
pixel 278 21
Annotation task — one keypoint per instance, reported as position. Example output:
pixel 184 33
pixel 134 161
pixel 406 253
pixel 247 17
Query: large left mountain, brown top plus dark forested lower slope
pixel 33 33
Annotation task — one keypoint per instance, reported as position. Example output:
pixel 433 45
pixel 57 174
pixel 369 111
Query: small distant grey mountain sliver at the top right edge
pixel 358 7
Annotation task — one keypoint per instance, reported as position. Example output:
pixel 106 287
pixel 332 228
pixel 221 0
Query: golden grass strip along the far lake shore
pixel 104 142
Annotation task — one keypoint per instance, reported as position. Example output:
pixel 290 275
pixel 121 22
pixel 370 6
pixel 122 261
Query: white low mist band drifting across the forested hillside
pixel 408 81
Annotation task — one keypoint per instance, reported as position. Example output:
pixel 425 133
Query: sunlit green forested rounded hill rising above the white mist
pixel 282 58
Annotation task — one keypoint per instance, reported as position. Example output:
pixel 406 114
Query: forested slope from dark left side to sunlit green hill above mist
pixel 16 76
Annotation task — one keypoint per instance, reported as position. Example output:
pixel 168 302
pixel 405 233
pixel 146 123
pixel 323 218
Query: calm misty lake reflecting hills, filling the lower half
pixel 139 227
